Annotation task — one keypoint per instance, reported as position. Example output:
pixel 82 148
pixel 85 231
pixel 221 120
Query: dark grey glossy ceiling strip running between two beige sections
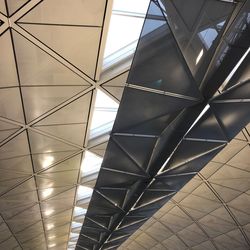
pixel 160 139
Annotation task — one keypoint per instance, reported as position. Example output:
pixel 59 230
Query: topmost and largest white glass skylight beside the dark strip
pixel 124 30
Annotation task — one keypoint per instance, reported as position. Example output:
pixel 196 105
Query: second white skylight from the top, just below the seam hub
pixel 104 115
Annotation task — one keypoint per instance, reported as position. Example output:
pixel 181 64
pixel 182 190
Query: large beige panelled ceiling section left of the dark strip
pixel 51 56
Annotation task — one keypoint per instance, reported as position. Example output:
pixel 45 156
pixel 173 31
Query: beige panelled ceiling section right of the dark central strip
pixel 210 212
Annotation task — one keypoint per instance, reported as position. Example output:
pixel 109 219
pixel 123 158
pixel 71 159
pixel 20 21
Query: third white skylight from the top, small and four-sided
pixel 91 163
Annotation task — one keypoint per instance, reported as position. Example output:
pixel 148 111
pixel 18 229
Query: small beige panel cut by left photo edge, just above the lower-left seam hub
pixel 11 105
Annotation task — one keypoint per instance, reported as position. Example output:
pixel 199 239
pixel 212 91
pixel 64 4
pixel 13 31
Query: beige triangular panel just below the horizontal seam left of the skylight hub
pixel 39 100
